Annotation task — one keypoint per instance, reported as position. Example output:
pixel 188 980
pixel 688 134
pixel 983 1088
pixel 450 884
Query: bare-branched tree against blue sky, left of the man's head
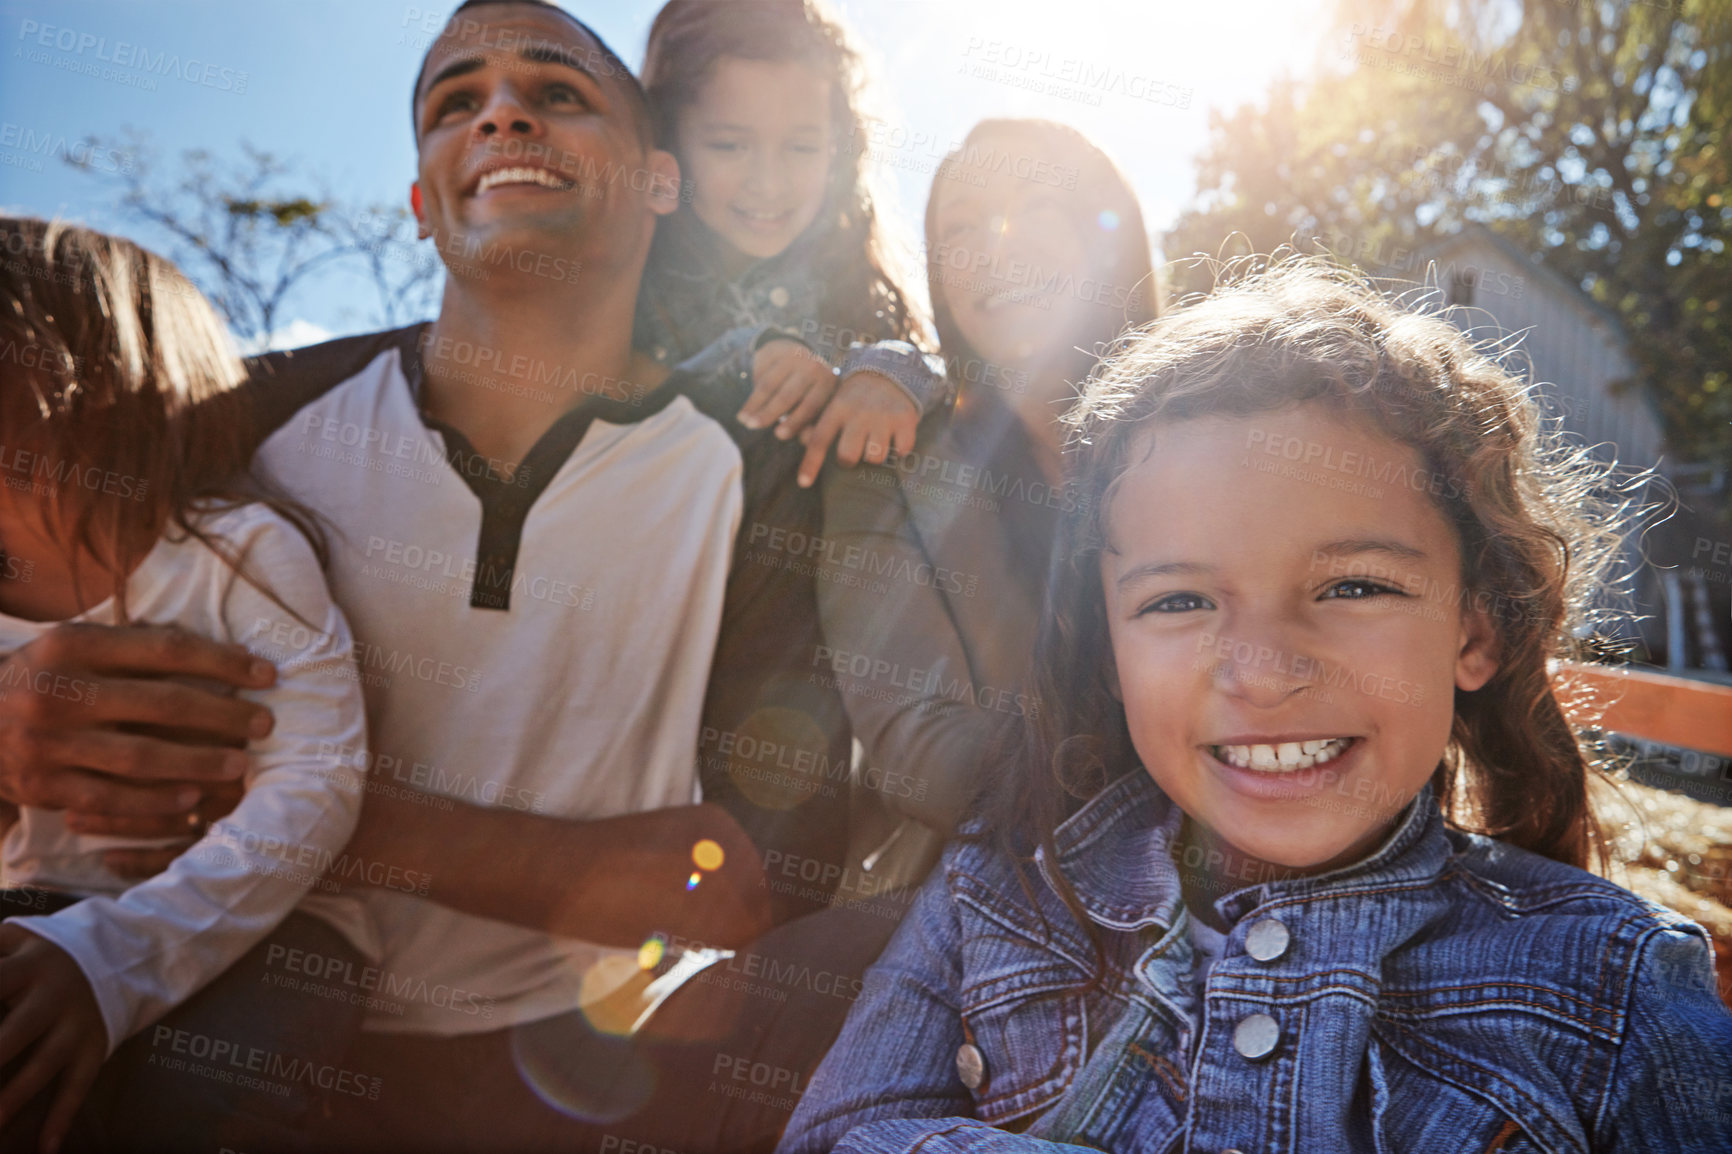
pixel 250 233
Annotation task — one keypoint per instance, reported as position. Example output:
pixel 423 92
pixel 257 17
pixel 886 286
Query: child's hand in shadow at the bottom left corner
pixel 51 1021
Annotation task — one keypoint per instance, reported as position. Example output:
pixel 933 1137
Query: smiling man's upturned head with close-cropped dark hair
pixel 531 155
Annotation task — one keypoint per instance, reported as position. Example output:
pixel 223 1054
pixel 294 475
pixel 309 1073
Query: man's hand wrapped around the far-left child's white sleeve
pixel 82 715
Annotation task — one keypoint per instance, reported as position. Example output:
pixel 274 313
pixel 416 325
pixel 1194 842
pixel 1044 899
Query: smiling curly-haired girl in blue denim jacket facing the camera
pixel 1293 860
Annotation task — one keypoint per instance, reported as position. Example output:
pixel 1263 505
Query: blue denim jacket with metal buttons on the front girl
pixel 1447 994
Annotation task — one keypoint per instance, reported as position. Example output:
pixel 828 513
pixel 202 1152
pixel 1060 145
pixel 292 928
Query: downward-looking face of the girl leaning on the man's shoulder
pixel 758 146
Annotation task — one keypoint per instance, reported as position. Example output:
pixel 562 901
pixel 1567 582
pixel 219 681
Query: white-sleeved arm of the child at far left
pixel 155 945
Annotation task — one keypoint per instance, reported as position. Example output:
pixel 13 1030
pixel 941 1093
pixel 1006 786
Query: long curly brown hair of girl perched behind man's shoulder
pixel 865 276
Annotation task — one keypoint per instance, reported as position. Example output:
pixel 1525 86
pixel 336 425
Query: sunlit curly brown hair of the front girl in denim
pixel 1535 528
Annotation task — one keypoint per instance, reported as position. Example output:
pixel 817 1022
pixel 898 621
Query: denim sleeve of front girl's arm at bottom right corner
pixel 1671 1087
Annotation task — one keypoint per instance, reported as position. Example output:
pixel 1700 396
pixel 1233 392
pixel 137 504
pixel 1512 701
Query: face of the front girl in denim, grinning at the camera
pixel 1288 628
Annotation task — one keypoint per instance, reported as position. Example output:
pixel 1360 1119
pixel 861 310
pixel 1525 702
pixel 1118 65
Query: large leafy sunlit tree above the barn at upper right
pixel 1591 133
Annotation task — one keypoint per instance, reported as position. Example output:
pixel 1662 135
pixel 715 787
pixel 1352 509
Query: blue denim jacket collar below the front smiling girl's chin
pixel 1108 846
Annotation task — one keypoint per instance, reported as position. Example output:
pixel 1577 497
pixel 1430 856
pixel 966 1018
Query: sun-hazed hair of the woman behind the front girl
pixel 1070 160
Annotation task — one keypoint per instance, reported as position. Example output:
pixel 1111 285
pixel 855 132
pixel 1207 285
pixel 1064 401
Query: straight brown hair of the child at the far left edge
pixel 122 396
